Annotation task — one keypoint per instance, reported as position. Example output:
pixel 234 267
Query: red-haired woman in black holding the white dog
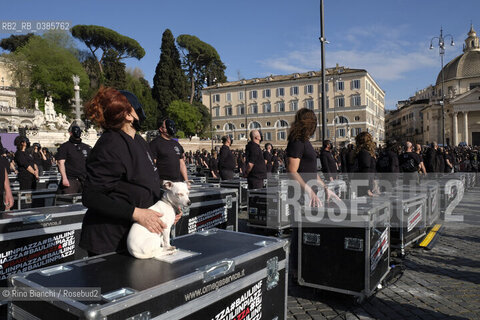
pixel 121 176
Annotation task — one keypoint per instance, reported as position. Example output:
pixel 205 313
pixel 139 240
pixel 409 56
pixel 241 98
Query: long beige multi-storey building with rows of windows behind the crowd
pixel 355 103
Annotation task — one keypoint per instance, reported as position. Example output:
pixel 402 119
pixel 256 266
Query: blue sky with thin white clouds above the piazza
pixel 388 38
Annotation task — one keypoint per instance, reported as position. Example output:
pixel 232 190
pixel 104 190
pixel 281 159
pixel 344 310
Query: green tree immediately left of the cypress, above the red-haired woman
pixel 140 87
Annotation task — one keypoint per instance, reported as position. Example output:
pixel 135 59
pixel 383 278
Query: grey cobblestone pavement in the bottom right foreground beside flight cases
pixel 442 283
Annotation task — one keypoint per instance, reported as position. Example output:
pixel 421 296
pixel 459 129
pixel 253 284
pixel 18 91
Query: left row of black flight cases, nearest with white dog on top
pixel 216 272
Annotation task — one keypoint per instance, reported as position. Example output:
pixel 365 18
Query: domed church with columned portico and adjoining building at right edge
pixel 461 82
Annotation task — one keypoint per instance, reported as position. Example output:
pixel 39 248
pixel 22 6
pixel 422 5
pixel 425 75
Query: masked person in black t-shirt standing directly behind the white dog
pixel 168 154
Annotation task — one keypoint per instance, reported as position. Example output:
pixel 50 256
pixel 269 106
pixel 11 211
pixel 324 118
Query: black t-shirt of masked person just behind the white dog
pixel 167 154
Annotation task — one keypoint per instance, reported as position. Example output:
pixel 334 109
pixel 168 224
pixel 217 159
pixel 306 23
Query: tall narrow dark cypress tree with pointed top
pixel 169 82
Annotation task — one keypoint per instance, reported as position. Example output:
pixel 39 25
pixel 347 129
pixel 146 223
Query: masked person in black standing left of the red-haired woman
pixel 71 157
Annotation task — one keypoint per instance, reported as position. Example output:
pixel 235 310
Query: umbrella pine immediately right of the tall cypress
pixel 202 62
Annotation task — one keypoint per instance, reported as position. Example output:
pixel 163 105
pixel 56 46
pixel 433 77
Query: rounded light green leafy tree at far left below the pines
pixel 47 69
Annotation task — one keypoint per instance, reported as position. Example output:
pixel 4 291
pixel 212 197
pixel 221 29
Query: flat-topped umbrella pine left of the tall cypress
pixel 98 37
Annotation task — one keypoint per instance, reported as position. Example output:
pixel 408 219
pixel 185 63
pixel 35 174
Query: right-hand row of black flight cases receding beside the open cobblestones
pixel 357 234
